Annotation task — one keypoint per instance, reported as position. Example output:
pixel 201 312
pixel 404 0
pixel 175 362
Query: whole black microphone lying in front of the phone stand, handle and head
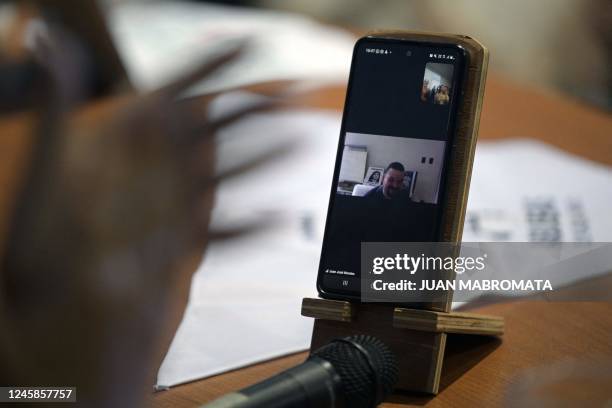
pixel 355 372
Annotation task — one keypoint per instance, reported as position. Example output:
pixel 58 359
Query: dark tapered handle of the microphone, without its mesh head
pixel 312 384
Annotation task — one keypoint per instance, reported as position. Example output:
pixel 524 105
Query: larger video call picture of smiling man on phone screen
pixel 389 168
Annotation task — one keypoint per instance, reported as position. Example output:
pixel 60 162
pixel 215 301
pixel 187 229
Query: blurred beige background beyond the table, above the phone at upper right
pixel 564 45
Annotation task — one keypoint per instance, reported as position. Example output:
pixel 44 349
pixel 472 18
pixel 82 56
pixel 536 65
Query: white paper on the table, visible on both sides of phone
pixel 267 274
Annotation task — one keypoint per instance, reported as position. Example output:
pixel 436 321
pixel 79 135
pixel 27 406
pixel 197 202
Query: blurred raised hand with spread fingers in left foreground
pixel 107 232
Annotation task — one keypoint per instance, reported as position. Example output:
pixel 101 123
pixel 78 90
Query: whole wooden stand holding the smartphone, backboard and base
pixel 418 337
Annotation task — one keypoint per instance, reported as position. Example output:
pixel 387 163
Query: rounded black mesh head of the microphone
pixel 367 367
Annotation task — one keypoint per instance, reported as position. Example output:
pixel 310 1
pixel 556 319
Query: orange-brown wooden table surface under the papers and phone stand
pixel 541 337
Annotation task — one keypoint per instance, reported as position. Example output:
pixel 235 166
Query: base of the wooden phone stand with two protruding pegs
pixel 417 337
